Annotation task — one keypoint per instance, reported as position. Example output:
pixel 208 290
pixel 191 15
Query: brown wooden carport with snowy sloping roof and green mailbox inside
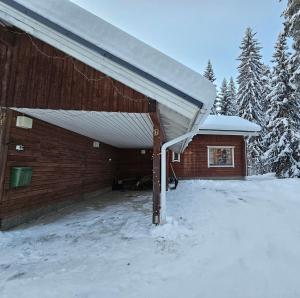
pixel 83 102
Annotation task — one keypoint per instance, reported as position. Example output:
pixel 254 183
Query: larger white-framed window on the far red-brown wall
pixel 220 156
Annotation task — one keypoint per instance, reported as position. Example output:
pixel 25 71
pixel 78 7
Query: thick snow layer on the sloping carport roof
pixel 93 29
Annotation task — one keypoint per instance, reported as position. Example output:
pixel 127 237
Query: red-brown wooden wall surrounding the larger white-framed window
pixel 194 163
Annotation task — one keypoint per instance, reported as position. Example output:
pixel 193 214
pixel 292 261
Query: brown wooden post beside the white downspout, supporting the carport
pixel 156 171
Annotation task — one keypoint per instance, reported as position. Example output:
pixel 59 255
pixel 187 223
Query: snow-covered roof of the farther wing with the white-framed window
pixel 228 125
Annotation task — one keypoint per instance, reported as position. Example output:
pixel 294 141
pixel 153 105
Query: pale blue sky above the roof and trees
pixel 193 31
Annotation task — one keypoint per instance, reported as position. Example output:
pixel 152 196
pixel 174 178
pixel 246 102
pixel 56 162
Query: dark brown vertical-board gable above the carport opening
pixel 36 75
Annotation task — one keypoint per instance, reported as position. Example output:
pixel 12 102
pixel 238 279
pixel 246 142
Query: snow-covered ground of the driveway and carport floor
pixel 225 239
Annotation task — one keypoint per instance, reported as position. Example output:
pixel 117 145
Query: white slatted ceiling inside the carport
pixel 122 130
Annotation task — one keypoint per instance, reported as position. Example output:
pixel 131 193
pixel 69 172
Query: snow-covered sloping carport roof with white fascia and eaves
pixel 179 90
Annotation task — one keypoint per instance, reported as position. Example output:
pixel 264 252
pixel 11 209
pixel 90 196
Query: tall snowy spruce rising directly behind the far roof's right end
pixel 250 94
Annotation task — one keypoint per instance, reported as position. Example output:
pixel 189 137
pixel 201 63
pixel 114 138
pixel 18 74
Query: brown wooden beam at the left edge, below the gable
pixel 5 125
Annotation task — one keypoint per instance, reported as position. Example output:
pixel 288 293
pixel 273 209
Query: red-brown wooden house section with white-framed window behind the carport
pixel 218 151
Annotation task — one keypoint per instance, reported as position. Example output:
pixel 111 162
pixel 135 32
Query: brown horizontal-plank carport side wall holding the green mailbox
pixel 65 165
